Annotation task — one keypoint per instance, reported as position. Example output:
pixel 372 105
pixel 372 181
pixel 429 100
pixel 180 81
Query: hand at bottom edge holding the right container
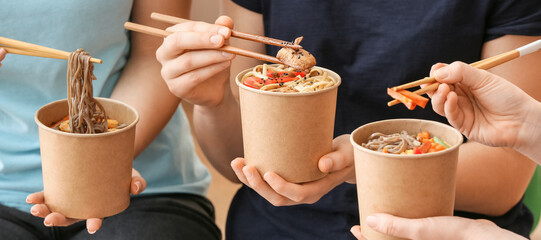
pixel 442 228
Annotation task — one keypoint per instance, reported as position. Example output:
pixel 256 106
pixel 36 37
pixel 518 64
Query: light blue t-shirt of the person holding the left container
pixel 169 164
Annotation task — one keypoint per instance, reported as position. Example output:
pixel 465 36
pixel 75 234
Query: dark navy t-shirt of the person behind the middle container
pixel 374 45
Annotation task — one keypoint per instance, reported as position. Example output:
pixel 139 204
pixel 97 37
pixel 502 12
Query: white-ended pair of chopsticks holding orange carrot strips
pixel 482 64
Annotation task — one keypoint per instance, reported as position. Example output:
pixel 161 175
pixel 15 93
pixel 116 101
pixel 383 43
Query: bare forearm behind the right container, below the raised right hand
pixel 490 180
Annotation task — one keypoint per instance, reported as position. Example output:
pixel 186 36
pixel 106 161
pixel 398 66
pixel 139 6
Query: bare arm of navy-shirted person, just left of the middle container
pixel 218 128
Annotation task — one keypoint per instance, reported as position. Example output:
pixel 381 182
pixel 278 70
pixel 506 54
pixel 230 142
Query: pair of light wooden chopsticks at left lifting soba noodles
pixel 23 48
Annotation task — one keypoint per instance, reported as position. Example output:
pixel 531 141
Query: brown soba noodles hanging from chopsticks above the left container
pixel 86 115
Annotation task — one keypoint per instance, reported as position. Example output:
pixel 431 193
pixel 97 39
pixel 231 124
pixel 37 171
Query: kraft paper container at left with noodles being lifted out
pixel 87 175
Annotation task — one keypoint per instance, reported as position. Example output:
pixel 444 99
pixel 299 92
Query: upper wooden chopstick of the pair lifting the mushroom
pixel 234 33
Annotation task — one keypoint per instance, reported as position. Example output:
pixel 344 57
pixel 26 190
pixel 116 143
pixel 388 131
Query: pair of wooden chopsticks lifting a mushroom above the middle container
pixel 226 48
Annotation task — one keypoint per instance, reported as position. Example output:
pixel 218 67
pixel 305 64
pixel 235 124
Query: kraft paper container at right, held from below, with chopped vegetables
pixel 411 186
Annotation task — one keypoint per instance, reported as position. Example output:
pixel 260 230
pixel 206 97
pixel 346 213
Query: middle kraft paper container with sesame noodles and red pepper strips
pixel 287 133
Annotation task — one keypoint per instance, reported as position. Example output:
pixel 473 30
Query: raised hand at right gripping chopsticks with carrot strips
pixel 486 108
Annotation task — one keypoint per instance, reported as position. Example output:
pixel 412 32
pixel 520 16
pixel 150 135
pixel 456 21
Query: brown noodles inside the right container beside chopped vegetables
pixel 394 143
